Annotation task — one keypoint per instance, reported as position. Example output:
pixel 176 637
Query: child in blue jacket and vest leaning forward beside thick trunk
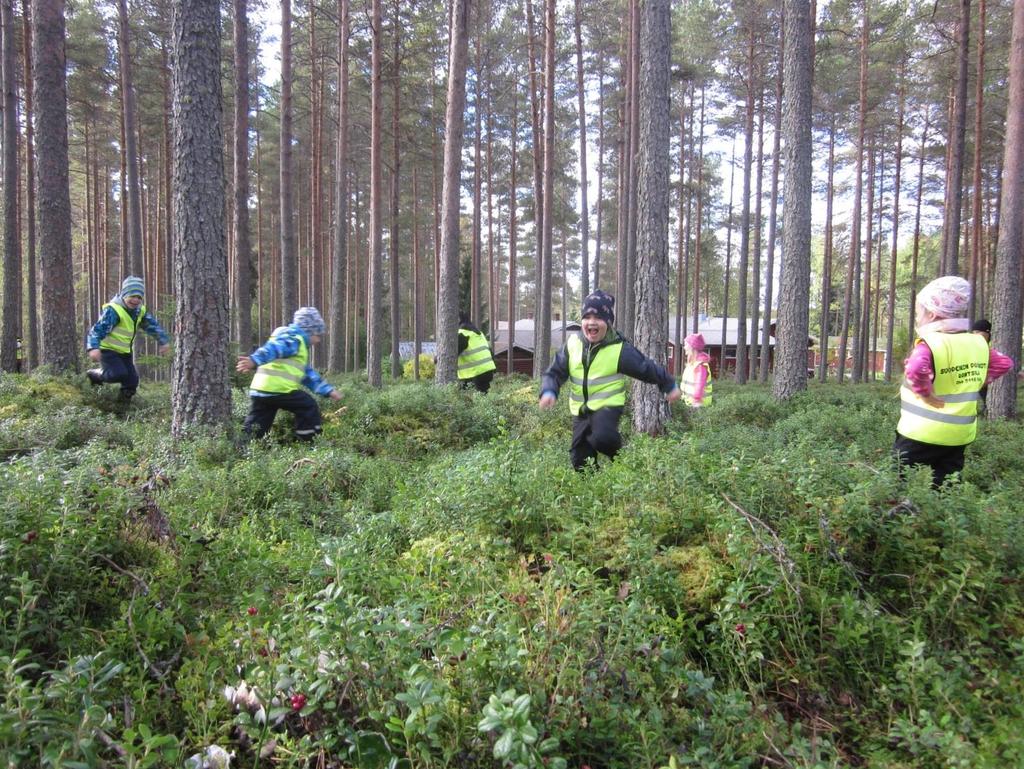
pixel 282 368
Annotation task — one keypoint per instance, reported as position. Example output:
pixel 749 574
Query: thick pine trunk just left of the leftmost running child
pixel 60 337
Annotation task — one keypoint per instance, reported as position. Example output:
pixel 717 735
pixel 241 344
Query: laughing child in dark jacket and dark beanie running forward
pixel 598 361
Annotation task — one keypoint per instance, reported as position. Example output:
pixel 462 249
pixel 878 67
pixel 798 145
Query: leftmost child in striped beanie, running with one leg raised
pixel 111 339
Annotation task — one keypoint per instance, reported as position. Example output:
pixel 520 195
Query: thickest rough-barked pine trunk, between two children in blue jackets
pixel 200 389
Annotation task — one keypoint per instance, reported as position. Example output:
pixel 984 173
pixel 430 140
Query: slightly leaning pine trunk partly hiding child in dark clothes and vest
pixel 448 315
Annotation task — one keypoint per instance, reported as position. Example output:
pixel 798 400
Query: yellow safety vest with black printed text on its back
pixel 961 363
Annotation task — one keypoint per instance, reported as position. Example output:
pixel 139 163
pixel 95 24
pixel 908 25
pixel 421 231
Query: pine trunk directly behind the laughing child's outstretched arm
pixel 650 409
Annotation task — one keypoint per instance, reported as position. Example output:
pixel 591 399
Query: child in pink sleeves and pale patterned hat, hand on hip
pixel 944 375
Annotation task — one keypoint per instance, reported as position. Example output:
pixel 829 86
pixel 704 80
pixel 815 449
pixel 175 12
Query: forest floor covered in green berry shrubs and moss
pixel 433 586
